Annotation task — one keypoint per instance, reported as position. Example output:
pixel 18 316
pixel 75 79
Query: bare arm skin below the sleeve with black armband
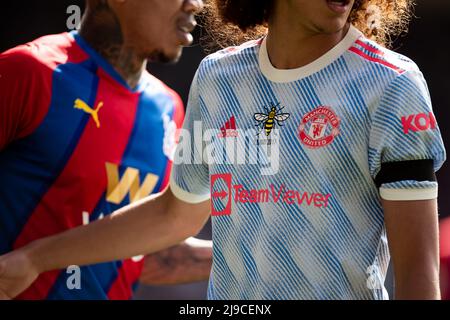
pixel 412 231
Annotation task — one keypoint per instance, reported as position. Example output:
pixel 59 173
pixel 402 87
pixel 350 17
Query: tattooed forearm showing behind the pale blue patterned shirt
pixel 187 262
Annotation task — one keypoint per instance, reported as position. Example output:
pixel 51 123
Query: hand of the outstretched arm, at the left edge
pixel 17 273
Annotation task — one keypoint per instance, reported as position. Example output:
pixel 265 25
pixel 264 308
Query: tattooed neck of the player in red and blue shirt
pixel 105 37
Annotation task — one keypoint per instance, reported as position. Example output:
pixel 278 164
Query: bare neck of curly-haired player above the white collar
pixel 293 47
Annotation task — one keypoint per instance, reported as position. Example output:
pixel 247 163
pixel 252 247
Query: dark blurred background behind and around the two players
pixel 427 43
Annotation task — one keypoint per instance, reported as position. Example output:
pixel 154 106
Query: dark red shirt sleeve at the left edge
pixel 22 86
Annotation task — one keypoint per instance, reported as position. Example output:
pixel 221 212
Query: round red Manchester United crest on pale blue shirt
pixel 319 127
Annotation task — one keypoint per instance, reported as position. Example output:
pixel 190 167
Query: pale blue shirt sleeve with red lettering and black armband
pixel 405 144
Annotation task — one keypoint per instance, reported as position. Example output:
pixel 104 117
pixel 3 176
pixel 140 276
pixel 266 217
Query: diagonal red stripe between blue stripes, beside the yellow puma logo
pixel 80 186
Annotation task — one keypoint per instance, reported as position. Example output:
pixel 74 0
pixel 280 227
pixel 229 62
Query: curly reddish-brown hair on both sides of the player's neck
pixel 232 22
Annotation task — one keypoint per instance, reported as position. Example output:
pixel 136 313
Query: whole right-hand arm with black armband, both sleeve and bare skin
pixel 405 151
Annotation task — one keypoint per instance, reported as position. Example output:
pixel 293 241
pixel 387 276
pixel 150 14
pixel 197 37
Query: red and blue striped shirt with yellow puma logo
pixel 77 143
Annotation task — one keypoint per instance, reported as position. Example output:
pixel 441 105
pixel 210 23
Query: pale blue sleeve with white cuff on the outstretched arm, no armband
pixel 190 175
